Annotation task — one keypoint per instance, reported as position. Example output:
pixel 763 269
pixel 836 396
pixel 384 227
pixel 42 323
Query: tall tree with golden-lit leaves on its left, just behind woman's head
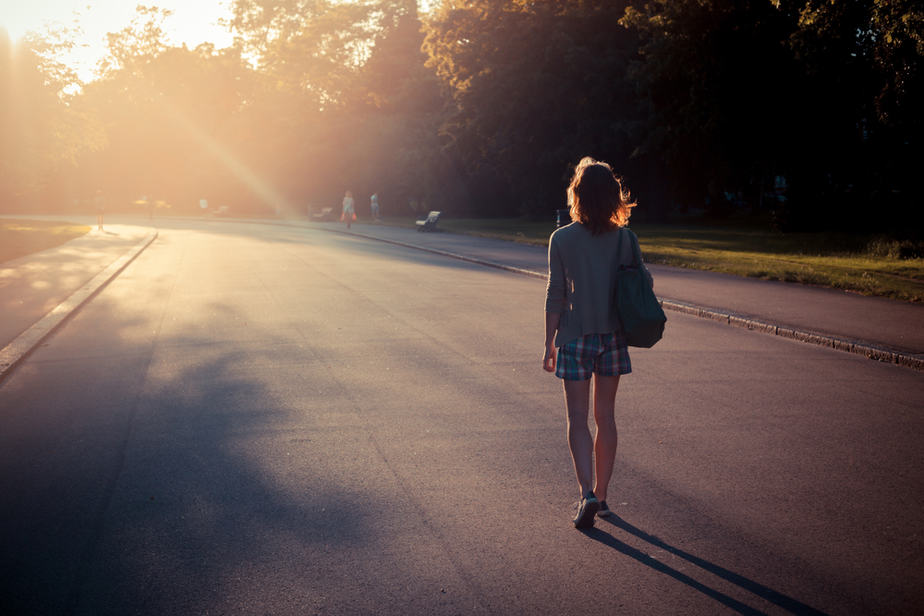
pixel 536 86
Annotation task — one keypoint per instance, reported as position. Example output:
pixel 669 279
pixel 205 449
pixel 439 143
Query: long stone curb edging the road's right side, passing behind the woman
pixel 857 347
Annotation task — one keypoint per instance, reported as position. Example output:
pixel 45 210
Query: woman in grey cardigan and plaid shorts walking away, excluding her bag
pixel 583 336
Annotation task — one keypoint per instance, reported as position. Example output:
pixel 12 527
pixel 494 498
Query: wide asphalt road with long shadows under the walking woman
pixel 272 420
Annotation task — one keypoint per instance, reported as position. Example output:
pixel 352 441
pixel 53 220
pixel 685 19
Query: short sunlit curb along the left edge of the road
pixel 12 354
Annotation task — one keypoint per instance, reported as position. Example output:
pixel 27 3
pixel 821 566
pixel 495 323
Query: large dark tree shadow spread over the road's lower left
pixel 166 477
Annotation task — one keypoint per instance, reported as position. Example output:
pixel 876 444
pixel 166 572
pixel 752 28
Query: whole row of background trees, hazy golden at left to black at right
pixel 803 114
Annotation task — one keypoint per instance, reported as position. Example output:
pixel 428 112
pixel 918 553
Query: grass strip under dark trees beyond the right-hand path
pixel 863 264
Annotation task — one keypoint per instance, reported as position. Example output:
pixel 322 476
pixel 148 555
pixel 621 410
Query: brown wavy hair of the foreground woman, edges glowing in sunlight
pixel 597 197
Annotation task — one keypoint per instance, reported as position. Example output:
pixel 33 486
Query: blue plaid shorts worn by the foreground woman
pixel 604 354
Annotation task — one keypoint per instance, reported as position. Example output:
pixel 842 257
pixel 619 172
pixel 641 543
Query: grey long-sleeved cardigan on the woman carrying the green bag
pixel 582 279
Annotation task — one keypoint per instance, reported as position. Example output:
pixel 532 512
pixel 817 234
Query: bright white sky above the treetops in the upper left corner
pixel 193 22
